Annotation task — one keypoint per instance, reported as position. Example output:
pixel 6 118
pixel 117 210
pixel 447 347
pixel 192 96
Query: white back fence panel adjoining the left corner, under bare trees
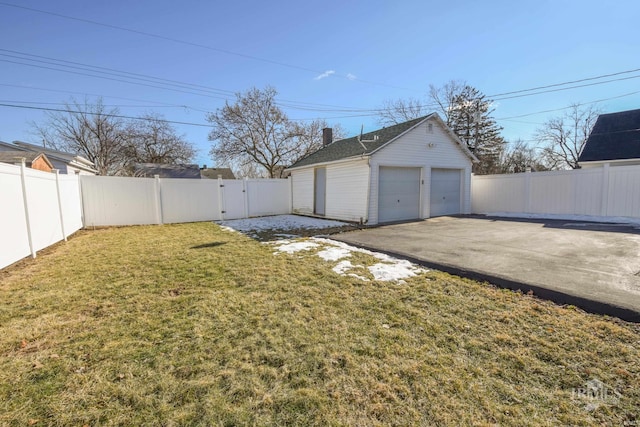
pixel 112 200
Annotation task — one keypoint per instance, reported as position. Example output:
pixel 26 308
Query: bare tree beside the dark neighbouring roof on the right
pixel 564 137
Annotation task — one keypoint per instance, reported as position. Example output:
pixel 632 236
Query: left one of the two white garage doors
pixel 398 194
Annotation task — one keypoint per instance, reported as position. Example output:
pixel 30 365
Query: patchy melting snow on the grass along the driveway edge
pixel 389 269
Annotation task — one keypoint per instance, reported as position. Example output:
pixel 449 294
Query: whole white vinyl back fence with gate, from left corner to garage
pixel 111 200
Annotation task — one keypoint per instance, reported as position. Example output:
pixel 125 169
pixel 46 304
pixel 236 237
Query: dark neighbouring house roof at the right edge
pixel 615 136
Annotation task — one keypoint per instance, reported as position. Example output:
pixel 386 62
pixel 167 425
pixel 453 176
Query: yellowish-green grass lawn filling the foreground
pixel 192 325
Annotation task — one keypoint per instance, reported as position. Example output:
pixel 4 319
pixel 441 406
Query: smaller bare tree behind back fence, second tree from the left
pixel 152 140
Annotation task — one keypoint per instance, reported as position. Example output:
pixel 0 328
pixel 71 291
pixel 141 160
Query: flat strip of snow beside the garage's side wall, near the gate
pixel 279 222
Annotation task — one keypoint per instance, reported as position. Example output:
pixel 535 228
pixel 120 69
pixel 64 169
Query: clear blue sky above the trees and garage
pixel 369 51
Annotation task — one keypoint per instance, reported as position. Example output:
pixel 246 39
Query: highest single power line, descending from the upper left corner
pixel 185 42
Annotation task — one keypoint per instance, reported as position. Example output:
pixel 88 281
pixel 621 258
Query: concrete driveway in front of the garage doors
pixel 590 265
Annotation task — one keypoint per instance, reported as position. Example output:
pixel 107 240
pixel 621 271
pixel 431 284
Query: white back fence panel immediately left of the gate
pixel 189 200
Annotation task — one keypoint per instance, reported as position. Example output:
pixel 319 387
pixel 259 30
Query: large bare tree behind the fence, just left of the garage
pixel 254 130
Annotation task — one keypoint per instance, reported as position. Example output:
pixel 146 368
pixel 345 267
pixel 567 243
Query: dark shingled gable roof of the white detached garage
pixel 371 142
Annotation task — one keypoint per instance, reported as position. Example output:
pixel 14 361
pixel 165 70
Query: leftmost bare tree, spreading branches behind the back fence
pixel 89 130
